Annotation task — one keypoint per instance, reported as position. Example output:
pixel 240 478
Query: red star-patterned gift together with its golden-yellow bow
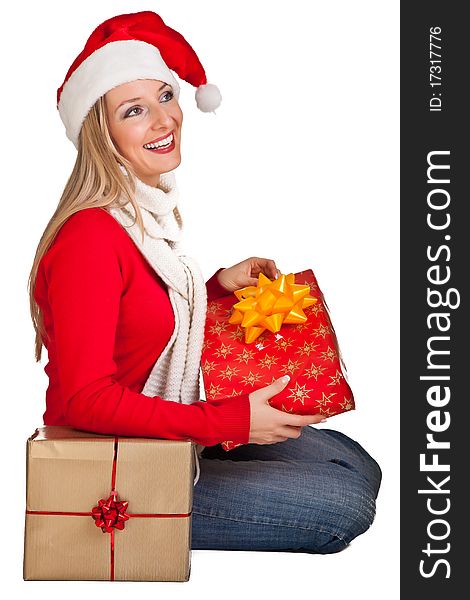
pixel 274 329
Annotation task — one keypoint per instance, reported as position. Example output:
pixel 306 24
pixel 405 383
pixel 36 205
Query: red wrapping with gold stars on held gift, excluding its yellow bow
pixel 308 352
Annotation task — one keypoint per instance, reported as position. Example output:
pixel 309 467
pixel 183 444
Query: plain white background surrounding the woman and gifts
pixel 299 164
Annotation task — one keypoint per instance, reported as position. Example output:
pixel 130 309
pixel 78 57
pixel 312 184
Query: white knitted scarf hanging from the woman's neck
pixel 175 375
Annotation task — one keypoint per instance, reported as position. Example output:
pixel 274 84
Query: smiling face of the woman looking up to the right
pixel 144 112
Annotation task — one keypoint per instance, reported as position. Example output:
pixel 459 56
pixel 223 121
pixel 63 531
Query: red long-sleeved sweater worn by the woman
pixel 108 317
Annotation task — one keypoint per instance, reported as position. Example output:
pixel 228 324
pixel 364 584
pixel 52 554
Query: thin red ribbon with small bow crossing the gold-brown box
pixel 110 514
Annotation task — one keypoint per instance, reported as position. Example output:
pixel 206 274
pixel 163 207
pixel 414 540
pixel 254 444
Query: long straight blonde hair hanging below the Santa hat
pixel 96 181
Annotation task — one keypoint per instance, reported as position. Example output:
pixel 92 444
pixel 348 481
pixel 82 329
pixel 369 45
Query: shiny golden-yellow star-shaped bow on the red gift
pixel 270 304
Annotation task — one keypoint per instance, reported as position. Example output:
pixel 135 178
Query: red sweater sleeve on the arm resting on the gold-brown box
pixel 84 289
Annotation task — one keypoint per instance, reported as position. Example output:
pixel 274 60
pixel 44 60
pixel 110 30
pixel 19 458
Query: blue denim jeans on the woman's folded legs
pixel 313 494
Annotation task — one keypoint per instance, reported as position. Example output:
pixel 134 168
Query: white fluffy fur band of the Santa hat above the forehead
pixel 109 66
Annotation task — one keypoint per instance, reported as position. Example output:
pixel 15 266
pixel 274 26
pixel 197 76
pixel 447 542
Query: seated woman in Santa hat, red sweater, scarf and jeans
pixel 121 311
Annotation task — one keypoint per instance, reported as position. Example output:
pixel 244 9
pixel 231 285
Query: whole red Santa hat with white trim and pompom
pixel 125 48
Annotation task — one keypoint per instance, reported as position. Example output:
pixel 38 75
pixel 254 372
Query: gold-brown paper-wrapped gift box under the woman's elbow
pixel 69 471
